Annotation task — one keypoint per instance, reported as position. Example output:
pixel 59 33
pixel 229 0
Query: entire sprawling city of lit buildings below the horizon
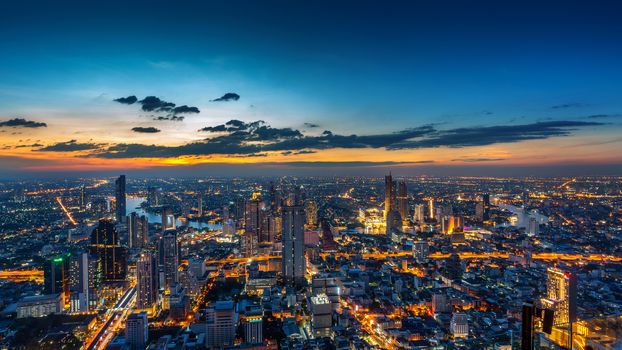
pixel 311 263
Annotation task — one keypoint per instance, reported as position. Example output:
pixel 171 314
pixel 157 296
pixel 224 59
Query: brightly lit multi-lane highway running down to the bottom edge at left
pixel 115 317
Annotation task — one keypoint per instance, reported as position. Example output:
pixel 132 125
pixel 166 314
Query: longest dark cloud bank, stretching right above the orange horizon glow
pixel 241 138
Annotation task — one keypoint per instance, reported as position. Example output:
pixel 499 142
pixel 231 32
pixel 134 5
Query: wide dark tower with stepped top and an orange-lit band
pixel 111 257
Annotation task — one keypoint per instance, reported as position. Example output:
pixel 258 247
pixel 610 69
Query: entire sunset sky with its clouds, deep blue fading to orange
pixel 320 87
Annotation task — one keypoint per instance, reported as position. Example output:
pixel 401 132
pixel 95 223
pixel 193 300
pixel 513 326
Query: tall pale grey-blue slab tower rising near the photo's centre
pixel 293 244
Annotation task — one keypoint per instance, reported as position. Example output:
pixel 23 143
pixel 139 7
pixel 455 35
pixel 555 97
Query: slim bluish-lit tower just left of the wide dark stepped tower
pixel 80 272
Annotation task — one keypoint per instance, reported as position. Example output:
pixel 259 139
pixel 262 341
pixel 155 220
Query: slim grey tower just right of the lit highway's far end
pixel 146 281
